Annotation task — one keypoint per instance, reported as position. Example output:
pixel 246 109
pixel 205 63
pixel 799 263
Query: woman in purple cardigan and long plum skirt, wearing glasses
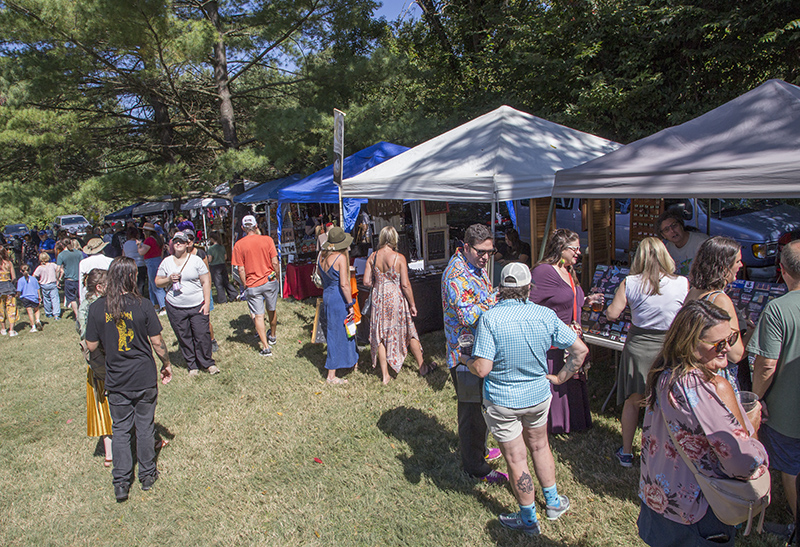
pixel 555 286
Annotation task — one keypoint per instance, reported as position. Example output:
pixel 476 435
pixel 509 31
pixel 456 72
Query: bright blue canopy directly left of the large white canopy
pixel 320 188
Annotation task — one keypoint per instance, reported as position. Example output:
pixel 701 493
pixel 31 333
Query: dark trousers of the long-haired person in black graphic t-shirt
pixel 129 410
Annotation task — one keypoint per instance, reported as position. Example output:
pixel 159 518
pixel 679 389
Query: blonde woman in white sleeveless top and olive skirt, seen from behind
pixel 654 294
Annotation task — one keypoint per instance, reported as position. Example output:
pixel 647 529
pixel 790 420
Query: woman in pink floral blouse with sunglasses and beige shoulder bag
pixel 708 423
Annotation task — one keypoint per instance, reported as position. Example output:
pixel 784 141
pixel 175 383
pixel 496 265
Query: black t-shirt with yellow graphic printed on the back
pixel 129 357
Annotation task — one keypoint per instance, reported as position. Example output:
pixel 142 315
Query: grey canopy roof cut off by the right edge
pixel 746 148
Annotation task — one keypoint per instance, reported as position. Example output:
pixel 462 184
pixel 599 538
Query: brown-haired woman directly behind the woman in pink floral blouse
pixel 715 266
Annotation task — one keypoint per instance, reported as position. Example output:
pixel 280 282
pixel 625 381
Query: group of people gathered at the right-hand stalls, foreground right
pixel 683 362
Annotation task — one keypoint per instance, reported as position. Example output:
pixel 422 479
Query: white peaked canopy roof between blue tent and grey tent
pixel 503 155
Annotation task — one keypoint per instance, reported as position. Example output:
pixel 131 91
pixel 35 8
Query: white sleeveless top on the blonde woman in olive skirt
pixel 658 310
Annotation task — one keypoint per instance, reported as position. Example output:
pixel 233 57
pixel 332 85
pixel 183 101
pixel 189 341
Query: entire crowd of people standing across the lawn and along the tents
pixel 515 353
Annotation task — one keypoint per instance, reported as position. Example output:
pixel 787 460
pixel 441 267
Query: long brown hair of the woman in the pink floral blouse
pixel 680 344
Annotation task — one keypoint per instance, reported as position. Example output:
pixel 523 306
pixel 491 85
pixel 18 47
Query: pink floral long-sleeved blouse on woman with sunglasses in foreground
pixel 710 436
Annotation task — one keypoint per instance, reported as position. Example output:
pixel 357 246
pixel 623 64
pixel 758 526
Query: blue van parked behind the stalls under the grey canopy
pixel 756 224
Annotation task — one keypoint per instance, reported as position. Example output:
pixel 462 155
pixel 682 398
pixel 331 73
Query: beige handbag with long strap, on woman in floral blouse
pixel 733 501
